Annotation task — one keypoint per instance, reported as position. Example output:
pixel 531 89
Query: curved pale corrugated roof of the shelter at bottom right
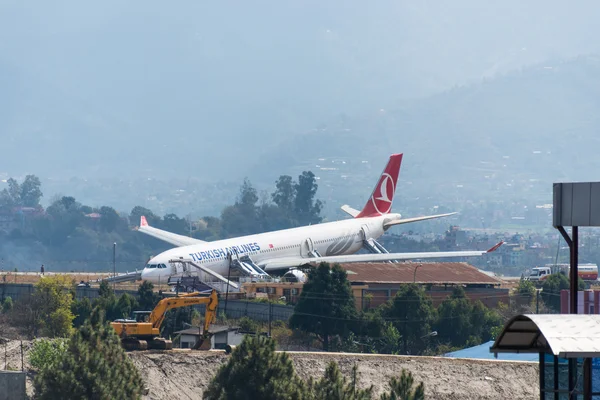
pixel 564 335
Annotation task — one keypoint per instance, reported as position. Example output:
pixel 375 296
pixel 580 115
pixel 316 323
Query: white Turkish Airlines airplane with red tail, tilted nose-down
pixel 332 242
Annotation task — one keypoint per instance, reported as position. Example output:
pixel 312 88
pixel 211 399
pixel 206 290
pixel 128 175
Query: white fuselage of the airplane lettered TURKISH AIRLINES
pixel 328 239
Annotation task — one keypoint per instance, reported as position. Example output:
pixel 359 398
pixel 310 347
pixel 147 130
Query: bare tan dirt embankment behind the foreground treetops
pixel 185 374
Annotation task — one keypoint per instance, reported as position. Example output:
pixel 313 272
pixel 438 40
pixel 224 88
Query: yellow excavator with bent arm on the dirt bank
pixel 143 331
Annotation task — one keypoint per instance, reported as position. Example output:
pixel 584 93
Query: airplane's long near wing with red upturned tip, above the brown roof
pixel 291 262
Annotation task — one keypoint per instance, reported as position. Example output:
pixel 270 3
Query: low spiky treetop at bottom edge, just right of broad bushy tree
pixel 334 386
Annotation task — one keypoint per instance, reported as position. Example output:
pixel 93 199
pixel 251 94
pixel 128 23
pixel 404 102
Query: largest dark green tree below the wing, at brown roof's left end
pixel 326 304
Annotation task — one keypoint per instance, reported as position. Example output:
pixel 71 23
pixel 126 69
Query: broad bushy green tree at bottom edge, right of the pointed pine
pixel 256 371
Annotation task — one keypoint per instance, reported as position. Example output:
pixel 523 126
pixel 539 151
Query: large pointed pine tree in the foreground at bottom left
pixel 94 367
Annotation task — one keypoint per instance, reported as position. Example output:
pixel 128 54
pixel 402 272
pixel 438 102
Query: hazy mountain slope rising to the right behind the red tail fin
pixel 505 138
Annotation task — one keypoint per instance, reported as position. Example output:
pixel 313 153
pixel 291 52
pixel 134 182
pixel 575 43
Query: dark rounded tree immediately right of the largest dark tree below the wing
pixel 412 313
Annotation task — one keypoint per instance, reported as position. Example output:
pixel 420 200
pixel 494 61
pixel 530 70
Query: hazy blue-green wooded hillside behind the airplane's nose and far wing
pixel 68 235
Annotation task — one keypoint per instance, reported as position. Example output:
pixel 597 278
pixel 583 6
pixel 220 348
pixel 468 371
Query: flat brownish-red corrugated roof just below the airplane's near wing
pixel 426 273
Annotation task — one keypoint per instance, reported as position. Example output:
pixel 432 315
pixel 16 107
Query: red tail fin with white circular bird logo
pixel 381 199
